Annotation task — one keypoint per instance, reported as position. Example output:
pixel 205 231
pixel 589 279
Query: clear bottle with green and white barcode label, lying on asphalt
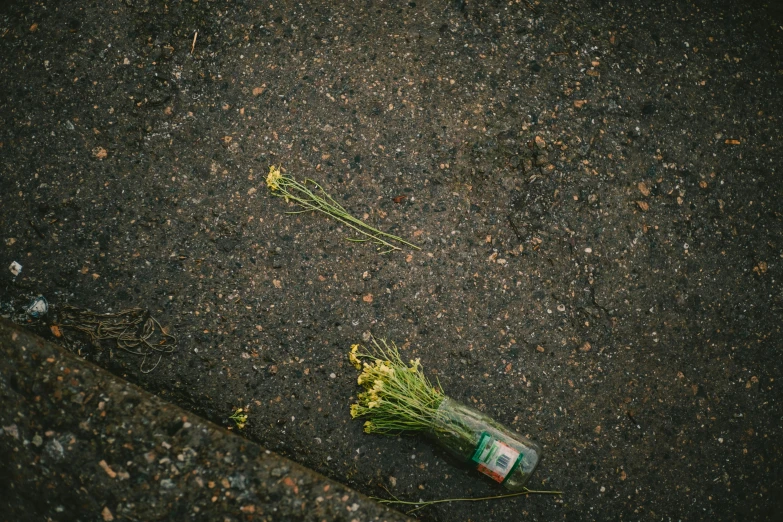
pixel 493 449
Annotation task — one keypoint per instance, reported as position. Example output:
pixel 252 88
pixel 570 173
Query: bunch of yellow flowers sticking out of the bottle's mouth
pixel 397 397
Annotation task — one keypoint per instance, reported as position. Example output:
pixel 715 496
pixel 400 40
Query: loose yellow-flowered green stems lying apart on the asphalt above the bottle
pixel 318 200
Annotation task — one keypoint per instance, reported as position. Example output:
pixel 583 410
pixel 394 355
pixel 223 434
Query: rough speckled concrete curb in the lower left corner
pixel 78 443
